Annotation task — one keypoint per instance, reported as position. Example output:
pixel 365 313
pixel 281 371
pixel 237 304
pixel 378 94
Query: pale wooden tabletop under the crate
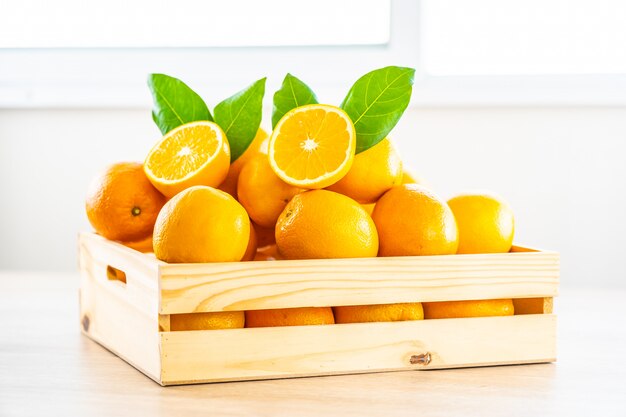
pixel 48 368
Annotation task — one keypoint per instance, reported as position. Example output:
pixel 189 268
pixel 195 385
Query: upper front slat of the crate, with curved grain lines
pixel 187 288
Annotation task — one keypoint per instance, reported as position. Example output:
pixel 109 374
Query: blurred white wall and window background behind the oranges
pixel 527 99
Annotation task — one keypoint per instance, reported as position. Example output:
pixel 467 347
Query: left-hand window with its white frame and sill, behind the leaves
pixel 83 53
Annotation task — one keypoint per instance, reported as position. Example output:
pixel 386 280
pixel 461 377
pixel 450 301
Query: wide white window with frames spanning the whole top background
pixel 466 52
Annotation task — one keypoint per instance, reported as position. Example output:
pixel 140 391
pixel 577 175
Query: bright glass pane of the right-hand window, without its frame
pixel 531 37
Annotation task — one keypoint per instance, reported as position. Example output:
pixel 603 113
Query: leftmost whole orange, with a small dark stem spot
pixel 122 204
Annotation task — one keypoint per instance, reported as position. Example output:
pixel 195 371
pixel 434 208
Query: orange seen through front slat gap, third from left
pixel 379 312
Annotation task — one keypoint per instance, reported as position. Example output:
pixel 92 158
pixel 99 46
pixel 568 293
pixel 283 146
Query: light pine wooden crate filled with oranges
pixel 132 318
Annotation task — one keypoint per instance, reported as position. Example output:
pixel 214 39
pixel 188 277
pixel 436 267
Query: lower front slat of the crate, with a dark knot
pixel 266 353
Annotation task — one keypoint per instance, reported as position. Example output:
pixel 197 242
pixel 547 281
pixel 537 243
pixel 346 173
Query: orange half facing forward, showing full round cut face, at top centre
pixel 312 146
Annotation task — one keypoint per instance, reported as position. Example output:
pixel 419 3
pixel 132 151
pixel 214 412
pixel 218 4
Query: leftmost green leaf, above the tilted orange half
pixel 175 103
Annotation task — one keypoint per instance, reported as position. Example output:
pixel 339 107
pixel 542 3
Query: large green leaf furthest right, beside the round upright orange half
pixel 376 102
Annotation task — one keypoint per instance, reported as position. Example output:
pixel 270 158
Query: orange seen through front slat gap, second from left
pixel 303 316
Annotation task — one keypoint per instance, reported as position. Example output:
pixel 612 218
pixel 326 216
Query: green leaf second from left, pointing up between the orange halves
pixel 240 115
